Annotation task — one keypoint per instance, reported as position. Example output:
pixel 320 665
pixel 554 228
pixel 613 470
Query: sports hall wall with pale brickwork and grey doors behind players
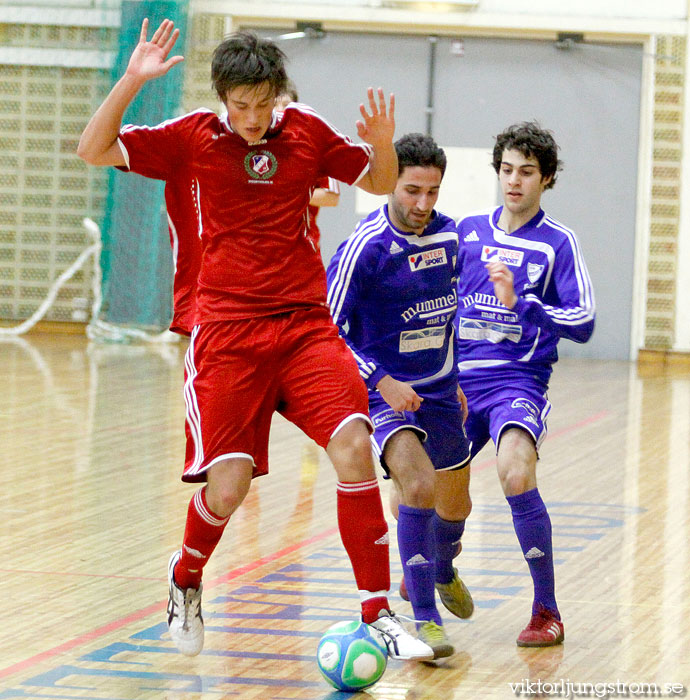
pixel 55 67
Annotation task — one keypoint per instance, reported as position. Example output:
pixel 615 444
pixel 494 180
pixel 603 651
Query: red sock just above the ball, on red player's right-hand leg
pixel 364 533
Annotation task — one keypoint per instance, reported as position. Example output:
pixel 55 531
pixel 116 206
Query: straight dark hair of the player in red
pixel 243 58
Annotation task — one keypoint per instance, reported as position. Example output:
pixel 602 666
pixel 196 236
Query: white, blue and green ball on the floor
pixel 351 656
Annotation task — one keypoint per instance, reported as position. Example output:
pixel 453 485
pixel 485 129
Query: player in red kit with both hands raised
pixel 263 339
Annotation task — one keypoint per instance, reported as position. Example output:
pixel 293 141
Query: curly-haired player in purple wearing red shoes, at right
pixel 523 285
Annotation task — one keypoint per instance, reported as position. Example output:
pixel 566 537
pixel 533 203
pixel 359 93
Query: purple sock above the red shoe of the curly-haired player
pixel 533 530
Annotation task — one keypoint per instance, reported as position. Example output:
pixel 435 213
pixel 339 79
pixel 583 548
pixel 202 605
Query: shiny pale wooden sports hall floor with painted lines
pixel 92 506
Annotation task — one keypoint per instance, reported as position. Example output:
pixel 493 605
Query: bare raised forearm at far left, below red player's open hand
pixel 98 142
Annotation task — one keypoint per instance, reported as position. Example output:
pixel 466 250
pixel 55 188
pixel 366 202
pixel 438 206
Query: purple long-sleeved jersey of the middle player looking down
pixel 393 296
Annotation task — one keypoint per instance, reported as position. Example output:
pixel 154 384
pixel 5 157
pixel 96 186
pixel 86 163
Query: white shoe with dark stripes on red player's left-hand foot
pixel 184 614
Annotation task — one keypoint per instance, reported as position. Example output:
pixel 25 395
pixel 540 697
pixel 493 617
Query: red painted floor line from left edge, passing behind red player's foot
pixel 155 607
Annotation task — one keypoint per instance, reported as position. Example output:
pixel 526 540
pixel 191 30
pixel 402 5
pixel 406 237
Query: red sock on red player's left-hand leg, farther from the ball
pixel 202 533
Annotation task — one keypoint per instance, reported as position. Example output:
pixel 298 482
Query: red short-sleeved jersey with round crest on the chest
pixel 251 203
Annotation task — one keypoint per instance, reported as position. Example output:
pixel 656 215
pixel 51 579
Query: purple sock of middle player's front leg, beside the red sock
pixel 416 547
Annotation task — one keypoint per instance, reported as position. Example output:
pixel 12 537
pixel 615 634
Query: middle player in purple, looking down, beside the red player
pixel 392 292
